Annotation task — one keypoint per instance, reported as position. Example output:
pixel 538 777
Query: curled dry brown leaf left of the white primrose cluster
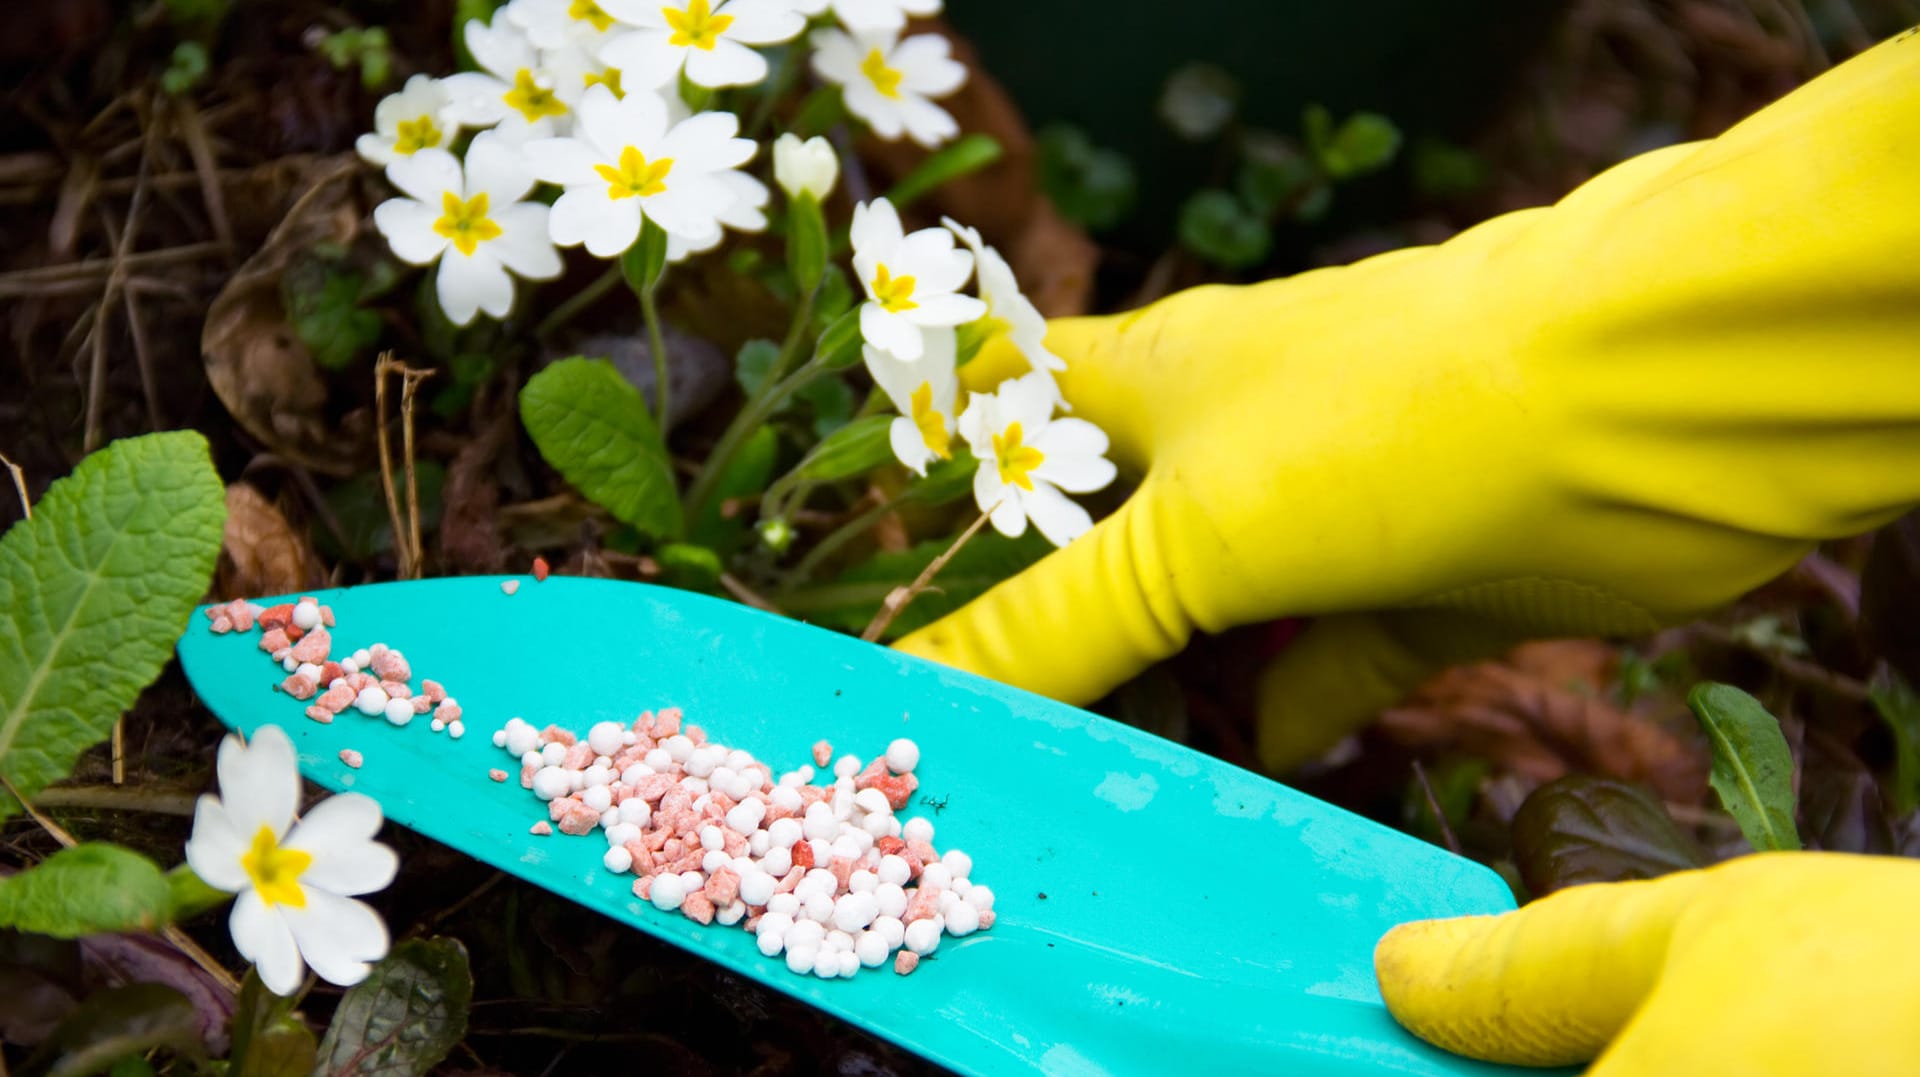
pixel 254 360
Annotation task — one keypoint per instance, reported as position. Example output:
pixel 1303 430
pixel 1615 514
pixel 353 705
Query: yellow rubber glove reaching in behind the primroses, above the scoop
pixel 1595 418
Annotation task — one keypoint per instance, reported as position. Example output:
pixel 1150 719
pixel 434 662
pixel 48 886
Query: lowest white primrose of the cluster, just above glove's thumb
pixel 1026 460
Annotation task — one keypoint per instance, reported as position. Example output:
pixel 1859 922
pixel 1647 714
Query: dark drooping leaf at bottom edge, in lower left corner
pixel 116 1024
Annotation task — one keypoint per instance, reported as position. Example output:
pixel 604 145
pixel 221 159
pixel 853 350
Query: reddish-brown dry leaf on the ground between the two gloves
pixel 1543 713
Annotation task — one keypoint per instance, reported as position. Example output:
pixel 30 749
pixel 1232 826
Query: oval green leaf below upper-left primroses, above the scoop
pixel 594 429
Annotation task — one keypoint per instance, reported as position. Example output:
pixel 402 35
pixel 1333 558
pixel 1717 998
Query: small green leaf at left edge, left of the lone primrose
pixel 87 890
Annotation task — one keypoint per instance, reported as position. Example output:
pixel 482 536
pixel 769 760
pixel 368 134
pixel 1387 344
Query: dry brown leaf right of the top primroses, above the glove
pixel 1053 260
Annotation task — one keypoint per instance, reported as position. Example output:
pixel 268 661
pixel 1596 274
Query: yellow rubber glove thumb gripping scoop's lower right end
pixel 1781 965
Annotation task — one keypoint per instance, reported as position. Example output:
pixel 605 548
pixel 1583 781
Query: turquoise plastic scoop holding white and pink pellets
pixel 1159 911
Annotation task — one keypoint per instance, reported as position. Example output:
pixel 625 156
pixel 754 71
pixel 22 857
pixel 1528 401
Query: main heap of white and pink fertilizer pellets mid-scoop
pixel 827 876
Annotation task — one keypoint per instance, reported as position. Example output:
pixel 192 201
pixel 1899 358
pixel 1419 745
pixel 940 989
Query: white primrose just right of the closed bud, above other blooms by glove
pixel 911 281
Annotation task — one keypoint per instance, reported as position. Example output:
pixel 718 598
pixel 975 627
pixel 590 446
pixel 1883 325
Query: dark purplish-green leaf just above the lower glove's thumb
pixel 1595 830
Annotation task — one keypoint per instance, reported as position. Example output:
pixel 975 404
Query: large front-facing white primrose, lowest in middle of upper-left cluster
pixel 629 164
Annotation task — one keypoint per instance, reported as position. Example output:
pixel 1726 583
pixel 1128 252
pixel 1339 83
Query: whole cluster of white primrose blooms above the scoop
pixel 610 103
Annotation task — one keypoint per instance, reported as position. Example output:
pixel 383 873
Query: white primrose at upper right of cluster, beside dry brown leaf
pixel 888 82
